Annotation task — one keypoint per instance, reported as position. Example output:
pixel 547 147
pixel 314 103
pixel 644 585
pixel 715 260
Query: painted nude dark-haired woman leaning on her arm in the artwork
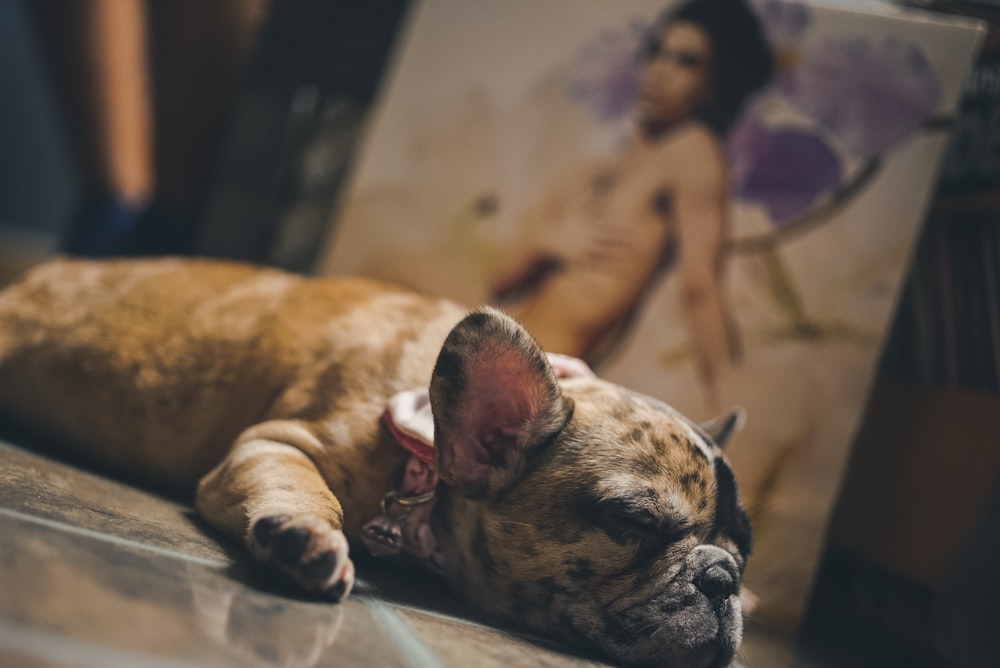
pixel 596 240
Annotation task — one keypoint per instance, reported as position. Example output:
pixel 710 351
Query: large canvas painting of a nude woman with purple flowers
pixel 712 201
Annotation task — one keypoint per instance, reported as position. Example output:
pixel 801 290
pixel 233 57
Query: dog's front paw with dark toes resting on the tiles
pixel 306 549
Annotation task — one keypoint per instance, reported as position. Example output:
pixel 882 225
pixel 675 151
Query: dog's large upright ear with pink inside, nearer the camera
pixel 494 396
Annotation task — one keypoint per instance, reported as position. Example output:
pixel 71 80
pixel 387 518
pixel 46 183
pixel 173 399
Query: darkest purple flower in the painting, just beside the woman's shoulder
pixel 784 170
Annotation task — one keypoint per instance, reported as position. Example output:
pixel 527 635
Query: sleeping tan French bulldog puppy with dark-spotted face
pixel 572 506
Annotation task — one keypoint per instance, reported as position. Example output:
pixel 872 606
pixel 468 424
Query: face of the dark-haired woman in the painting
pixel 676 79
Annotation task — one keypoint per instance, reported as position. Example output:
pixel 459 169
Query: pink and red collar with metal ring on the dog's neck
pixel 404 527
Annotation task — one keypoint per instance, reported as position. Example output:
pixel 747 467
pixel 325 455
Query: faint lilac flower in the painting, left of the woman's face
pixel 605 71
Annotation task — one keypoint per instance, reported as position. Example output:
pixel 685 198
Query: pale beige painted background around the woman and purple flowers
pixel 476 108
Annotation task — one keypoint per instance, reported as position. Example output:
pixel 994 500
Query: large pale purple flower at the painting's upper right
pixel 868 94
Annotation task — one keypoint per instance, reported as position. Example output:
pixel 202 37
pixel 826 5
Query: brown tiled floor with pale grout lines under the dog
pixel 94 572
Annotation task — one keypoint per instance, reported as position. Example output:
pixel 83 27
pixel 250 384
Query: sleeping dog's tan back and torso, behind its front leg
pixel 155 367
